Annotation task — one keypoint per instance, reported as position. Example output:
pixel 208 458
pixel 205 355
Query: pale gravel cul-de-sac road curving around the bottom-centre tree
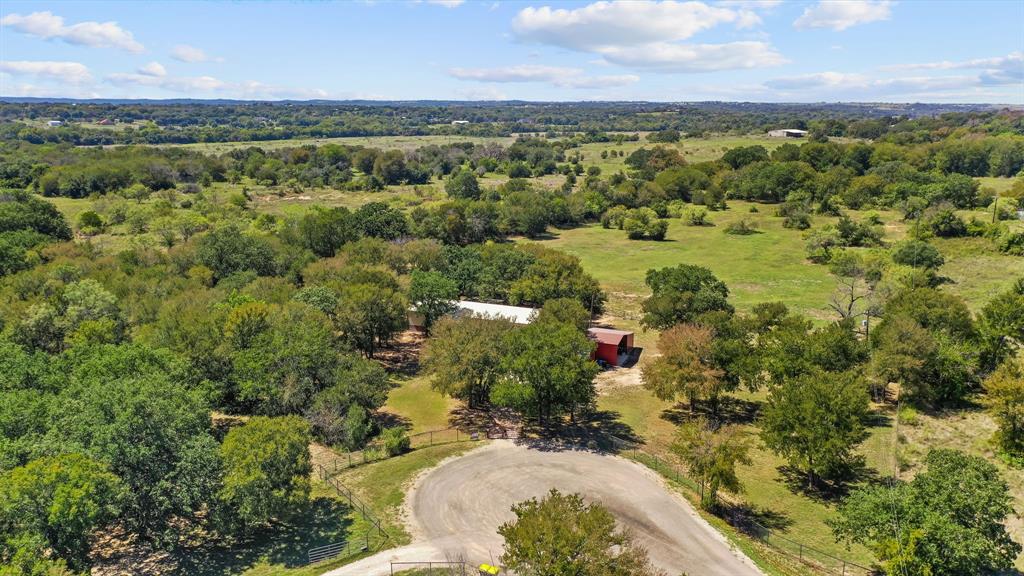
pixel 455 510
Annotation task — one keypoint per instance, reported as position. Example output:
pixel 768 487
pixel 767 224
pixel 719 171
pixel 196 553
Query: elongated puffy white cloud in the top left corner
pixel 49 26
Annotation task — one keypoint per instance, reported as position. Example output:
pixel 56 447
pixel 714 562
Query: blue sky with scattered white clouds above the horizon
pixel 857 51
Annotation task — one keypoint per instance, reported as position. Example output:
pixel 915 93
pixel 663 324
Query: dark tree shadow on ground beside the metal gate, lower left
pixel 325 521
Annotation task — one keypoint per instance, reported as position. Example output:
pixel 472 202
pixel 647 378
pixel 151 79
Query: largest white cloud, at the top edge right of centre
pixel 618 23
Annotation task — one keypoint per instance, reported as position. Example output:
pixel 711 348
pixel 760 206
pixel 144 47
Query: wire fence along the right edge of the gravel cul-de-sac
pixel 816 559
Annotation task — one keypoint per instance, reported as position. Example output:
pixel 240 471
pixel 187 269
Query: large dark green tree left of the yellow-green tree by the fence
pixel 126 407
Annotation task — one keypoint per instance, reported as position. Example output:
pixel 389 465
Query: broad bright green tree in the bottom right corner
pixel 949 521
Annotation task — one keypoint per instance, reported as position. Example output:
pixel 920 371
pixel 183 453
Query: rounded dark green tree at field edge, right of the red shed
pixel 681 295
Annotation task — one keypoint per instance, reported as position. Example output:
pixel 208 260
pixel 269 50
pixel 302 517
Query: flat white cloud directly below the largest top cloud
pixel 664 57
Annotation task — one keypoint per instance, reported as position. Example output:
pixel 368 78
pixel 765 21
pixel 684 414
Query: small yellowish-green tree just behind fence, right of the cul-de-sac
pixel 712 457
